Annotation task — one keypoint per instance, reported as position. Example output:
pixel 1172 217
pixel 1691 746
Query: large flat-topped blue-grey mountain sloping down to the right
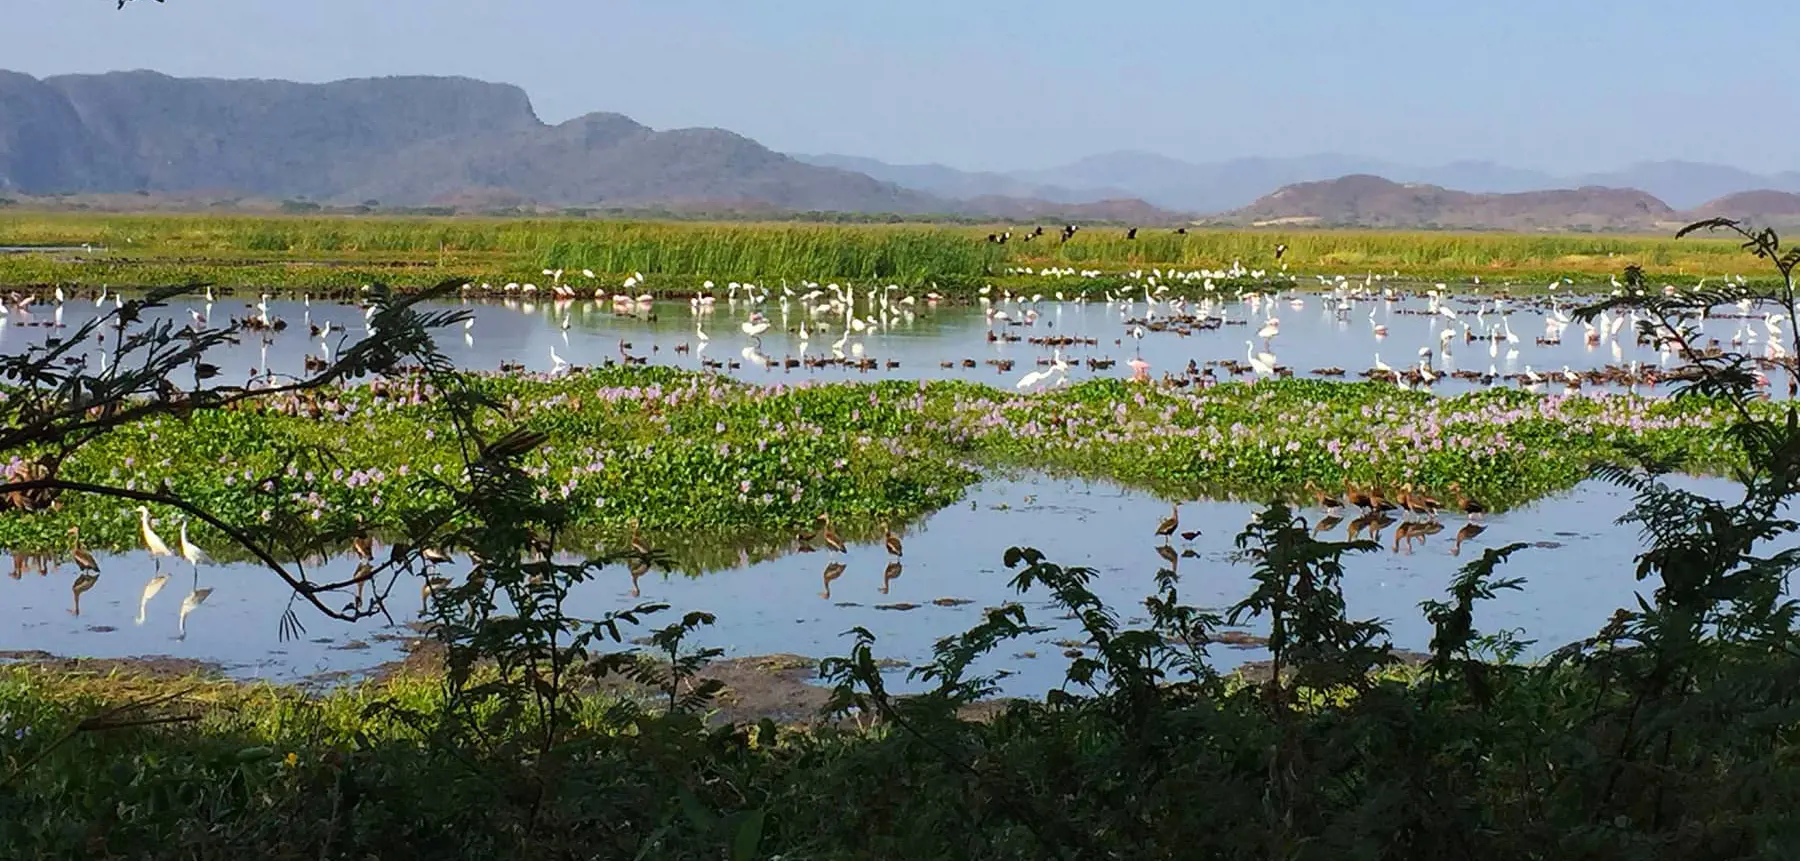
pixel 393 140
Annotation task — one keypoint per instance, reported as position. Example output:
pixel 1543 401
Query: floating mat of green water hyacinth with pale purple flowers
pixel 701 458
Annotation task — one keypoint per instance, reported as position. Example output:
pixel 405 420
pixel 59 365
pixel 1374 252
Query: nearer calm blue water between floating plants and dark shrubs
pixel 1576 581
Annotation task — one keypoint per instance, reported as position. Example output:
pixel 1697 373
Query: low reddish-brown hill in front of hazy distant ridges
pixel 1363 201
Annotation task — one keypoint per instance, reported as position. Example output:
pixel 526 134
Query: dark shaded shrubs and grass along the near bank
pixel 1624 747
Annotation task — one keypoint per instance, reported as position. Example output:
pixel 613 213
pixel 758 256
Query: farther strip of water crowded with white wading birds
pixel 1313 334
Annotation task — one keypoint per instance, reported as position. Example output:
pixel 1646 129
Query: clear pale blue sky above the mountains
pixel 1565 87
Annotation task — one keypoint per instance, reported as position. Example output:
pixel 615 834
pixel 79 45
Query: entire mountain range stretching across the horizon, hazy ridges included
pixel 433 141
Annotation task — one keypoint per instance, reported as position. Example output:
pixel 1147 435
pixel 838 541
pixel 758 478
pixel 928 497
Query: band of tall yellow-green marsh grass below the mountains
pixel 328 253
